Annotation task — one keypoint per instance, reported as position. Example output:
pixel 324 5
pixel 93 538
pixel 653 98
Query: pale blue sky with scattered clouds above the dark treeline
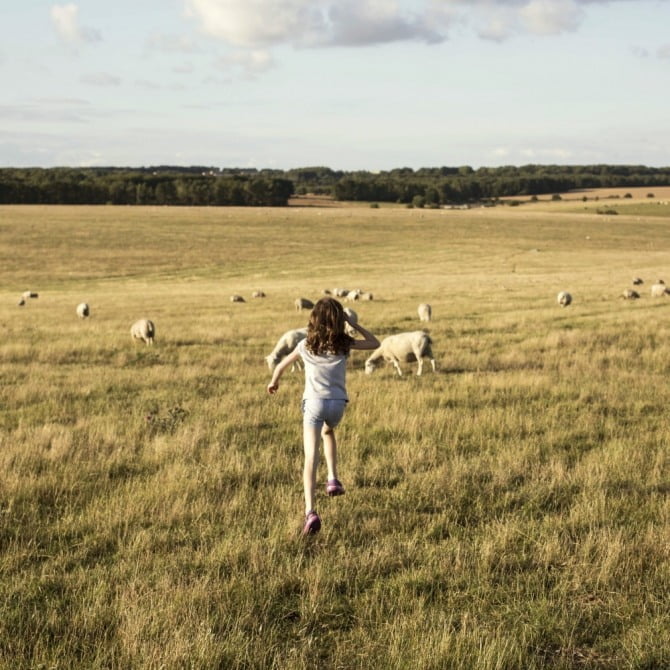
pixel 346 84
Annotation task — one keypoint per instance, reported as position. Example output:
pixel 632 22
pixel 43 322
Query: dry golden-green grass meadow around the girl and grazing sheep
pixel 509 511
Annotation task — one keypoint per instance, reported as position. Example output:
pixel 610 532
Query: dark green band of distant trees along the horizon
pixel 209 186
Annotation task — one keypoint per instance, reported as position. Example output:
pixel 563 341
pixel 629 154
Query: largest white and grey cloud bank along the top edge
pixel 350 23
